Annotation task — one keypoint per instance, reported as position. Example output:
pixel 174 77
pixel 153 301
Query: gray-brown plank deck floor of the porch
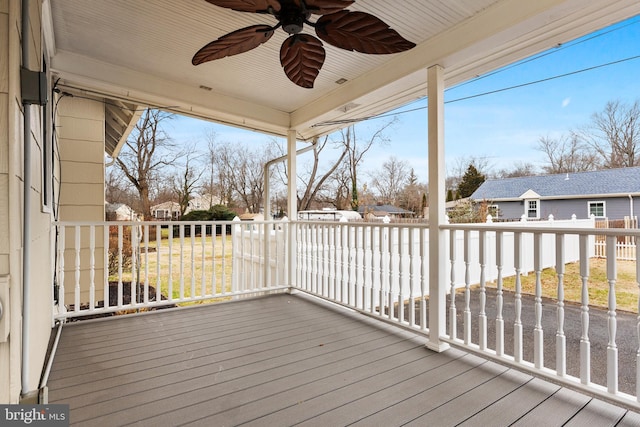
pixel 287 360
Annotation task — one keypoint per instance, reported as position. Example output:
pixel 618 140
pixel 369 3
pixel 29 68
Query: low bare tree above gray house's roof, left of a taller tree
pixel 567 154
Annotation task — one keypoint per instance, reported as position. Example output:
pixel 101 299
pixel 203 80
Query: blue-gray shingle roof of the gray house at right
pixel 609 182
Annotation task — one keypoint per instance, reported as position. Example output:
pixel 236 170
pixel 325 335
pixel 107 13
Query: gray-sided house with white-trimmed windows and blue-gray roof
pixel 611 193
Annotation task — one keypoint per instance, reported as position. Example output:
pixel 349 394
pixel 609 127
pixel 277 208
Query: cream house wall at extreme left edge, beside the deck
pixel 11 207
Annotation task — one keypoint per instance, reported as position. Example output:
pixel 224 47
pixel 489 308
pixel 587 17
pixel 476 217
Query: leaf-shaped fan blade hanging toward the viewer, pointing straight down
pixel 302 56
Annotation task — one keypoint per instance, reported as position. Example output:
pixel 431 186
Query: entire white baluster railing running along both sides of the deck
pixel 381 270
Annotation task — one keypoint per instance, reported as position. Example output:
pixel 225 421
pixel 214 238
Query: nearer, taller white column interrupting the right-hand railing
pixel 437 256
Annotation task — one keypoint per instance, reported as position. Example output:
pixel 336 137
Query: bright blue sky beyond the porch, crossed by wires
pixel 504 127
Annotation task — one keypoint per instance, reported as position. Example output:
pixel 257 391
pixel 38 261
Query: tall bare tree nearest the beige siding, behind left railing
pixel 146 151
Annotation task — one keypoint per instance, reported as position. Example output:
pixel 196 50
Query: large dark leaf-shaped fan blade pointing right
pixel 361 32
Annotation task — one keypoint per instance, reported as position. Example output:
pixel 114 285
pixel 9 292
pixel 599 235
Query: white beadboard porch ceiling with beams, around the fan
pixel 140 52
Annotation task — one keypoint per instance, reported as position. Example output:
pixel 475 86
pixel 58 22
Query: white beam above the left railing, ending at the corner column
pixel 101 78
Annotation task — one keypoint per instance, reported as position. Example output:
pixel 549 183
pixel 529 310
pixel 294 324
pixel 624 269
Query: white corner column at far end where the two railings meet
pixel 292 205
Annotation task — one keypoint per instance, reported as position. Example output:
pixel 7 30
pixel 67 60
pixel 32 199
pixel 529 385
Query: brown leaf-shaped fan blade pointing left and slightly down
pixel 236 42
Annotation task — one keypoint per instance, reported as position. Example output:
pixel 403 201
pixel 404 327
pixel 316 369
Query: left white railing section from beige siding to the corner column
pixel 108 267
